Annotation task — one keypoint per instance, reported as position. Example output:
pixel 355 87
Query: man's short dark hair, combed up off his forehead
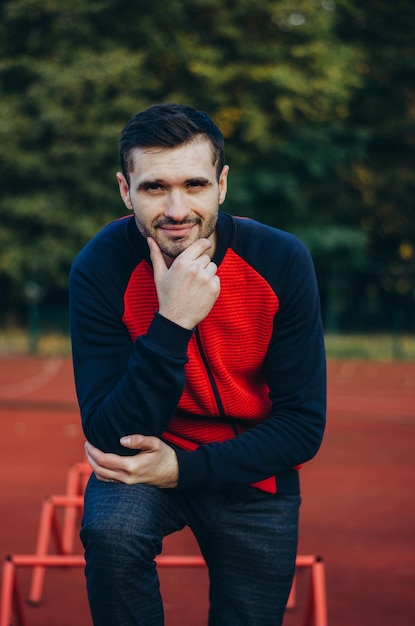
pixel 168 126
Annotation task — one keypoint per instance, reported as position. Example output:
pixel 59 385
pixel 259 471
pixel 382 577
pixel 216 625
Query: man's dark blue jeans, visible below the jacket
pixel 248 538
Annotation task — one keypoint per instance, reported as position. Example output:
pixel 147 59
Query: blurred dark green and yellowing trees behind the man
pixel 316 99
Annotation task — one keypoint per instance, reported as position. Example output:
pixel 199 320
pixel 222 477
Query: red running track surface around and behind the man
pixel 358 508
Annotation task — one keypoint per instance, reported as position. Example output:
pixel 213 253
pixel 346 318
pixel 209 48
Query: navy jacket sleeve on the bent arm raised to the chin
pixel 123 387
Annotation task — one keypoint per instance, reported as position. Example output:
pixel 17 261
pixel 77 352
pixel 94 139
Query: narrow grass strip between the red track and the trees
pixel 365 347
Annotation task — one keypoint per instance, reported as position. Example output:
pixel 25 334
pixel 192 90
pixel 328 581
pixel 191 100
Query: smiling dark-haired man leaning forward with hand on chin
pixel 200 372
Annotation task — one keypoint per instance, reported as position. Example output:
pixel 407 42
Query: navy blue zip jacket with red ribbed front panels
pixel 242 397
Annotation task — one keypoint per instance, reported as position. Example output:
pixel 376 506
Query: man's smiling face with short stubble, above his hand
pixel 175 194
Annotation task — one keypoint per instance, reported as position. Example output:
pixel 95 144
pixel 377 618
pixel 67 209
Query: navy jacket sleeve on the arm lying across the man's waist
pixel 296 376
